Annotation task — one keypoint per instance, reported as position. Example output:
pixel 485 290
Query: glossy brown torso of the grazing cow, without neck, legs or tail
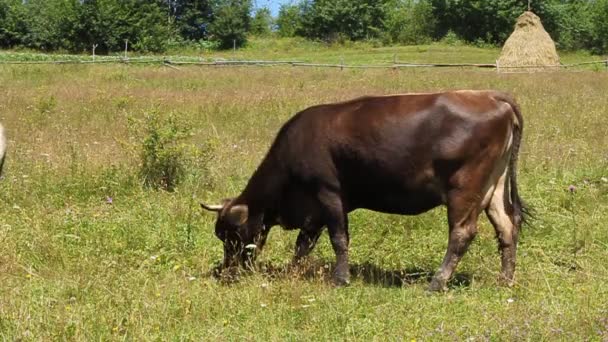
pixel 392 153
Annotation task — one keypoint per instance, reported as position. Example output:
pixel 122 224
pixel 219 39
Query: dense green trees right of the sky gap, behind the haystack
pixel 573 24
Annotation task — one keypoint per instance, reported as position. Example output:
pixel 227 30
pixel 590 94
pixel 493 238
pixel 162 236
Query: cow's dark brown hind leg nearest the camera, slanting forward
pixel 463 211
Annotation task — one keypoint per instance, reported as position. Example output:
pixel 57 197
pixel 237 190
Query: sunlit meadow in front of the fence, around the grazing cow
pixel 87 253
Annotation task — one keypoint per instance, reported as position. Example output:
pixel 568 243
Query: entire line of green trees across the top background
pixel 76 25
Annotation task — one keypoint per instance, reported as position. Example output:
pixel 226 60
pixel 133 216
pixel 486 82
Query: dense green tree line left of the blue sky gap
pixel 76 25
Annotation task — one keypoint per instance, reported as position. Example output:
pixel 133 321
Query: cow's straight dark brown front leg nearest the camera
pixel 337 226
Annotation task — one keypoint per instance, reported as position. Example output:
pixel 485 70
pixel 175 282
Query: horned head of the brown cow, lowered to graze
pixel 238 230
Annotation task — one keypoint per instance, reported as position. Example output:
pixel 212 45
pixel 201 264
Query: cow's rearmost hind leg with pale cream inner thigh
pixel 506 230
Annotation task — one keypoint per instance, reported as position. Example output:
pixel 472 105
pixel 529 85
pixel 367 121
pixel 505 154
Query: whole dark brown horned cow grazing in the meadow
pixel 400 154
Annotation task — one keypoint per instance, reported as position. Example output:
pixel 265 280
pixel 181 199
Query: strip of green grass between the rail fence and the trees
pixel 302 50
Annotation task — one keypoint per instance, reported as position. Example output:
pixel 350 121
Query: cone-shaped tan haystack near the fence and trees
pixel 529 48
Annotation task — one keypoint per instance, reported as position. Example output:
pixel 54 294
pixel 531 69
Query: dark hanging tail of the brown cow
pixel 519 209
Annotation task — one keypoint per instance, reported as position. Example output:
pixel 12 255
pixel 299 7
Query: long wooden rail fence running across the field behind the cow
pixel 227 63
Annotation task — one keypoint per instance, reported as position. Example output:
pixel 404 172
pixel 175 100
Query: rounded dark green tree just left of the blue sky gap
pixel 231 22
